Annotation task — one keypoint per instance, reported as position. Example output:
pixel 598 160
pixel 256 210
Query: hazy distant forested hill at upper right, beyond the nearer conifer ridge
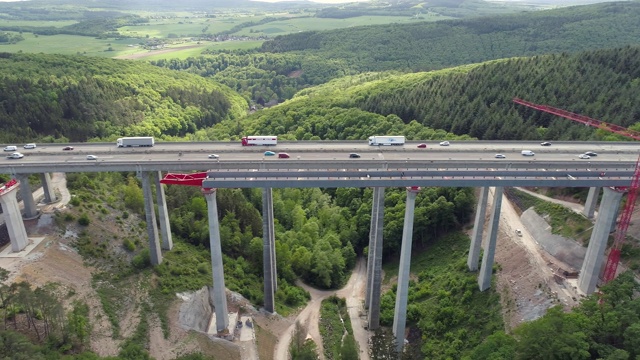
pixel 427 46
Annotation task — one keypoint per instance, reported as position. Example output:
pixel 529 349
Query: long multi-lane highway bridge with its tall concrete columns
pixel 327 164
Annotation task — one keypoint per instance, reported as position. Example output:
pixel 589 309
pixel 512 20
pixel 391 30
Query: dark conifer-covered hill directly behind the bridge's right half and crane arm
pixel 474 100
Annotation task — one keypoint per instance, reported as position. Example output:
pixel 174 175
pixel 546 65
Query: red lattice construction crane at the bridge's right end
pixel 623 225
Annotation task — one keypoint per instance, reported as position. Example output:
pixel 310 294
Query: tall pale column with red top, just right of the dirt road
pixel 402 292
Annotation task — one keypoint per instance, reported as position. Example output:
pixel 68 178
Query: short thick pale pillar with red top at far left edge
pixel 12 216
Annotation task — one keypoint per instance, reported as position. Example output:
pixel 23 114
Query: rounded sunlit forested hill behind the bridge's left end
pixel 44 97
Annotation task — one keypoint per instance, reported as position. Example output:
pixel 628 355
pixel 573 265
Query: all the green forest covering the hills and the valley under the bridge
pixel 432 81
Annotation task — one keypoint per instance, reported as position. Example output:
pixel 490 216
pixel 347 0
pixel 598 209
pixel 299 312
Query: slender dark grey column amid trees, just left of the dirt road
pixel 269 251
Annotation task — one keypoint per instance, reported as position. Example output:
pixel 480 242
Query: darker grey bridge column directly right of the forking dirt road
pixel 374 275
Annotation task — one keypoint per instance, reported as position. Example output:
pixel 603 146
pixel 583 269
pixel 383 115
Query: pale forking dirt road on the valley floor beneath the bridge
pixel 310 316
